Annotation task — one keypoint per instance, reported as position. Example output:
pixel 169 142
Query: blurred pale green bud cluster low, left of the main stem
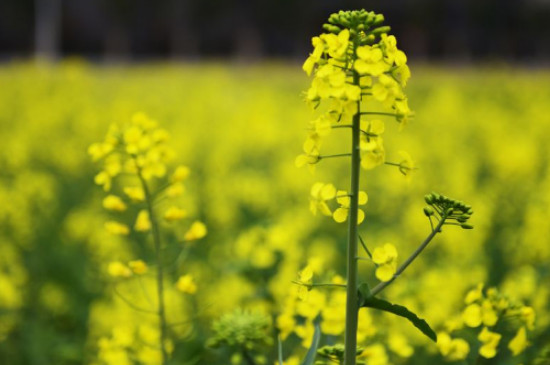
pixel 243 329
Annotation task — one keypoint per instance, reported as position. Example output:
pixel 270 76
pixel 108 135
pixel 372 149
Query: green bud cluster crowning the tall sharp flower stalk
pixel 363 25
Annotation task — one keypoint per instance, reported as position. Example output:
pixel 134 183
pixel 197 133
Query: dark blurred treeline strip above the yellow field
pixel 460 30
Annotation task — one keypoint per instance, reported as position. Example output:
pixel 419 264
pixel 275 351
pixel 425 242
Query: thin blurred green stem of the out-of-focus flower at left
pixel 160 274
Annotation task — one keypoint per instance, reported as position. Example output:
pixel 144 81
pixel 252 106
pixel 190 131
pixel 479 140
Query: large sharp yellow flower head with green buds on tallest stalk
pixel 354 62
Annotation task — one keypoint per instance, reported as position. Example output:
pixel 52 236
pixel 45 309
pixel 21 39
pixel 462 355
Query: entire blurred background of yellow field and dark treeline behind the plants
pixel 225 79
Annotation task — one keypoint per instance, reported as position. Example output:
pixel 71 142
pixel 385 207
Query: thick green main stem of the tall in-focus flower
pixel 352 305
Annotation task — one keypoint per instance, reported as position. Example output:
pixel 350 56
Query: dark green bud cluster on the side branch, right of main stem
pixel 448 209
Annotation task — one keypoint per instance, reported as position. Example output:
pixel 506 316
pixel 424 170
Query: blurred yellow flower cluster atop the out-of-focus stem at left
pixel 137 155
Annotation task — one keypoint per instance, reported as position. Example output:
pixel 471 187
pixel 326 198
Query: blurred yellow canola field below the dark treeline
pixel 479 135
